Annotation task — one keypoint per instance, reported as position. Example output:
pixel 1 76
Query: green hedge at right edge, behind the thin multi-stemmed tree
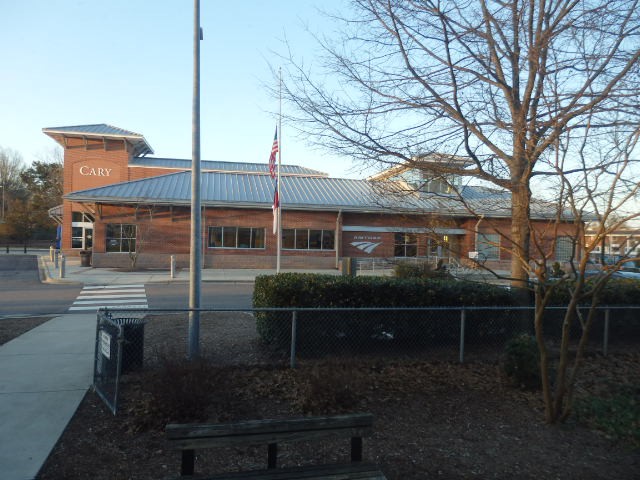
pixel 618 292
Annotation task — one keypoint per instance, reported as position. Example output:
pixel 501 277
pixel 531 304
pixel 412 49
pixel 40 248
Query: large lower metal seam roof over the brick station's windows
pixel 250 190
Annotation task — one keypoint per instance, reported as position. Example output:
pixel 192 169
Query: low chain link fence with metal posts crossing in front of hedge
pixel 129 340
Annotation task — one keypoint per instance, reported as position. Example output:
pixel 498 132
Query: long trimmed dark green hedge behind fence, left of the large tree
pixel 322 331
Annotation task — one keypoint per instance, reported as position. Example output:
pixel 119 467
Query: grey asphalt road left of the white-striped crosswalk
pixel 21 292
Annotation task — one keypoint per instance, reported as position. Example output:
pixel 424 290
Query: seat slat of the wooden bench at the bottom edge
pixel 357 471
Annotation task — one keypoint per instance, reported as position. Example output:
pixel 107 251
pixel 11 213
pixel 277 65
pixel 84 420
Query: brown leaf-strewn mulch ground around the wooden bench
pixel 432 420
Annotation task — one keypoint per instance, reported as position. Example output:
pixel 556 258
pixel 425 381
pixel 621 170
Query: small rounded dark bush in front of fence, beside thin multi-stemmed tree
pixel 522 362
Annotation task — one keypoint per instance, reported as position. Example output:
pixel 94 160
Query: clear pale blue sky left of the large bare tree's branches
pixel 128 63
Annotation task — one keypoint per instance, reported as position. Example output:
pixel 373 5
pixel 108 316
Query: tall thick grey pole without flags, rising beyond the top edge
pixel 195 262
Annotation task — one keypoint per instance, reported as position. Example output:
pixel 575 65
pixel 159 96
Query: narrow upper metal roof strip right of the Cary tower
pixel 221 166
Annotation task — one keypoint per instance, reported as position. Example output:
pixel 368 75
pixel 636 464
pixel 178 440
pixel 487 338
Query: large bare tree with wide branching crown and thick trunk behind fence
pixel 500 83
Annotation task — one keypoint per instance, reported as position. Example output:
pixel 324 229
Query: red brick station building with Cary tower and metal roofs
pixel 119 202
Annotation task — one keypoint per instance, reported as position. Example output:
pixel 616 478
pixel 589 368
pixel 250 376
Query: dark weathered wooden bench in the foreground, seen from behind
pixel 190 437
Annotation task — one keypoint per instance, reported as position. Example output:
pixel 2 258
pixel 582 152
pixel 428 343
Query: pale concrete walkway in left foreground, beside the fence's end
pixel 44 374
